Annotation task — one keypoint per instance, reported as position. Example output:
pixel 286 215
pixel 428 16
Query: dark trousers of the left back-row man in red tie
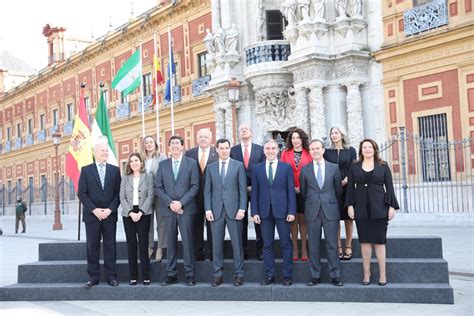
pixel 198 232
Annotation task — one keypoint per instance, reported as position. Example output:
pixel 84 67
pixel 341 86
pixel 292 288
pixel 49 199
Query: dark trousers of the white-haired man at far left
pixel 106 230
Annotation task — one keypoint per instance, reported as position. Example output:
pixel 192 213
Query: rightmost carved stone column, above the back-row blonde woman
pixel 355 123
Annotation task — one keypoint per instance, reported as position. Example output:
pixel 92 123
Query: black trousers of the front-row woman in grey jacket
pixel 140 230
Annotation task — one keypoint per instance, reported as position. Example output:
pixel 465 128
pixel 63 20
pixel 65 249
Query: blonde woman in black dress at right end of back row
pixel 343 155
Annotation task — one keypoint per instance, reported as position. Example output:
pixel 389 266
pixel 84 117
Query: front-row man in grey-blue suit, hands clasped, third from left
pixel 177 184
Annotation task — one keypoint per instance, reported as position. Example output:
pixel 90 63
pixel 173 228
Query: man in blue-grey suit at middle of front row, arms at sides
pixel 225 201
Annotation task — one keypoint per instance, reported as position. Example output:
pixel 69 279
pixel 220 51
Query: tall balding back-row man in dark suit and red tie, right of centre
pixel 250 154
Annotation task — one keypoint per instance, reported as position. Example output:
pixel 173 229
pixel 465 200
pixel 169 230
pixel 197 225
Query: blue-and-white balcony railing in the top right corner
pixel 425 17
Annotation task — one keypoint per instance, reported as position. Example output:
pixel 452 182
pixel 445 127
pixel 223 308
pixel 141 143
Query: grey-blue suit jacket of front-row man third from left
pixel 183 189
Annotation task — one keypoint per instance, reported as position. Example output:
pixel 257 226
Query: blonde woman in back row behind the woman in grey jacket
pixel 152 158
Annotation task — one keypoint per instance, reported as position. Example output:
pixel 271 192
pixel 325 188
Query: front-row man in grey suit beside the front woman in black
pixel 320 185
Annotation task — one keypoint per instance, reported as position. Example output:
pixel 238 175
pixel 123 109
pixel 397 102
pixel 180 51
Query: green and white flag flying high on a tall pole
pixel 128 78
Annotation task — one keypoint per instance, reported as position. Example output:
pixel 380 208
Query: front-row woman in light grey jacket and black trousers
pixel 136 197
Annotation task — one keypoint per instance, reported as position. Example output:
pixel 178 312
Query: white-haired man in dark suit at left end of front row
pixel 98 190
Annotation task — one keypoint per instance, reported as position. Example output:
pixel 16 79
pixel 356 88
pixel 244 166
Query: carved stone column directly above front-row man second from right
pixel 317 113
